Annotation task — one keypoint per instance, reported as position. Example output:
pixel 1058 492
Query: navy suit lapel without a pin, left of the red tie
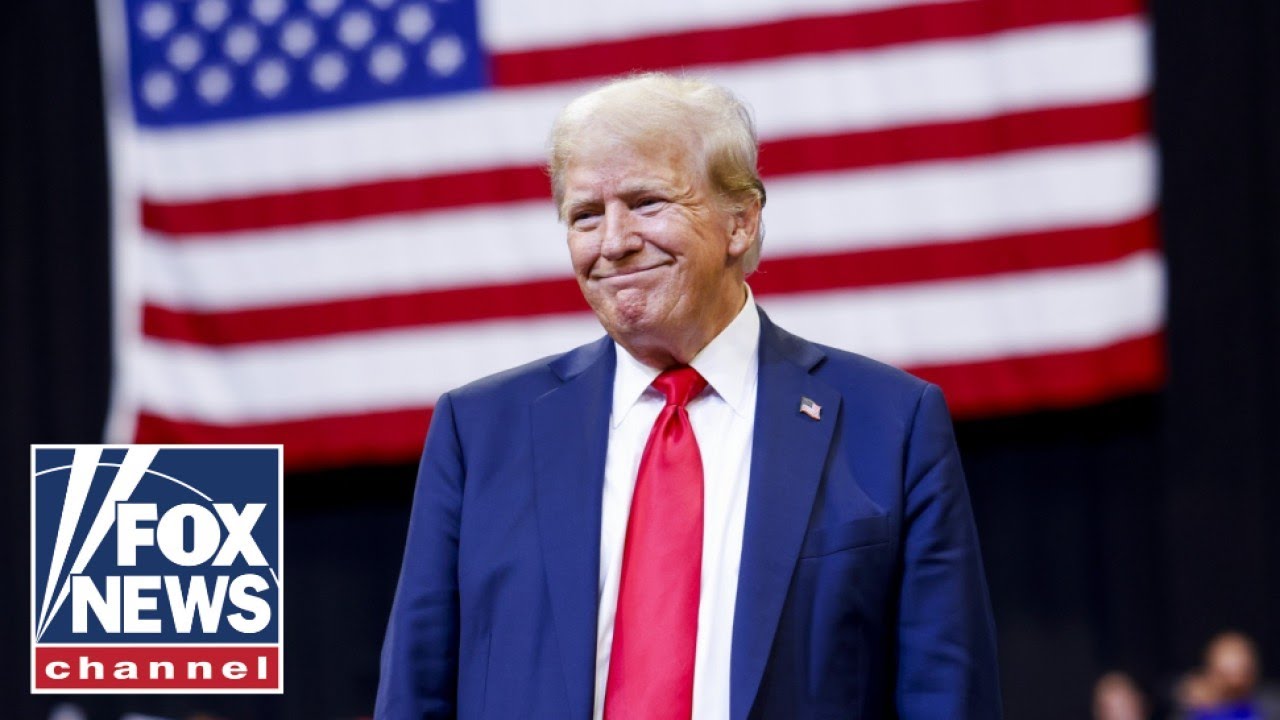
pixel 572 430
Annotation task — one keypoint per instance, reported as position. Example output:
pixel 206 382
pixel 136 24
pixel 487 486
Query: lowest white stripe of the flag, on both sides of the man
pixel 952 322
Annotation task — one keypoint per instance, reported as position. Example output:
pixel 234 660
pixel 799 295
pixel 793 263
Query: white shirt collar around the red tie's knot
pixel 729 364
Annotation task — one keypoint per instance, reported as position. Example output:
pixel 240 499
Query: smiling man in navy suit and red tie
pixel 700 516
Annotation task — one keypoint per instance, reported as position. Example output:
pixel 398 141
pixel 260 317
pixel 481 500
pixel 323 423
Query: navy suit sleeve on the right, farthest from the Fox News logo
pixel 947 666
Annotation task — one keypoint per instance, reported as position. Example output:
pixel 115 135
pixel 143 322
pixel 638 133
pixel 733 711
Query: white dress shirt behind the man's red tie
pixel 724 418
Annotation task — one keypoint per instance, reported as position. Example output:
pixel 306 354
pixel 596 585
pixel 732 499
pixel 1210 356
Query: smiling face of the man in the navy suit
pixel 656 256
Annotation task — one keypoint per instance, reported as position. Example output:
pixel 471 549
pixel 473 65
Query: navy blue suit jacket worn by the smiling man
pixel 861 591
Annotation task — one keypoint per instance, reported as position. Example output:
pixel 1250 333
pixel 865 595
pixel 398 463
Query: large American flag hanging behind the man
pixel 331 212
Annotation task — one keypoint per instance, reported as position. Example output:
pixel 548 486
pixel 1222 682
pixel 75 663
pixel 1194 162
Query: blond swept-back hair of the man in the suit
pixel 650 106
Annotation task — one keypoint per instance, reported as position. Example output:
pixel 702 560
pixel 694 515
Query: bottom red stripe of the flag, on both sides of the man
pixel 973 390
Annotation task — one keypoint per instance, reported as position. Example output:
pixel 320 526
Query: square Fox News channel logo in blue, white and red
pixel 157 569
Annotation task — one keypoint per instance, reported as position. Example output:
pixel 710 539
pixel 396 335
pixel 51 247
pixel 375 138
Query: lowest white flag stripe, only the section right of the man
pixel 1009 316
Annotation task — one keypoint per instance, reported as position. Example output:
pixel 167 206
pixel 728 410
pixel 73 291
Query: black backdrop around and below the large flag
pixel 1118 536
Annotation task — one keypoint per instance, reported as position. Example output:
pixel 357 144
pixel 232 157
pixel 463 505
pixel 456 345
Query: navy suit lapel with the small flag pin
pixel 788 459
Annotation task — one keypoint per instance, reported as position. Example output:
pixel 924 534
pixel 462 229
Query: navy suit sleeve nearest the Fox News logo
pixel 420 654
